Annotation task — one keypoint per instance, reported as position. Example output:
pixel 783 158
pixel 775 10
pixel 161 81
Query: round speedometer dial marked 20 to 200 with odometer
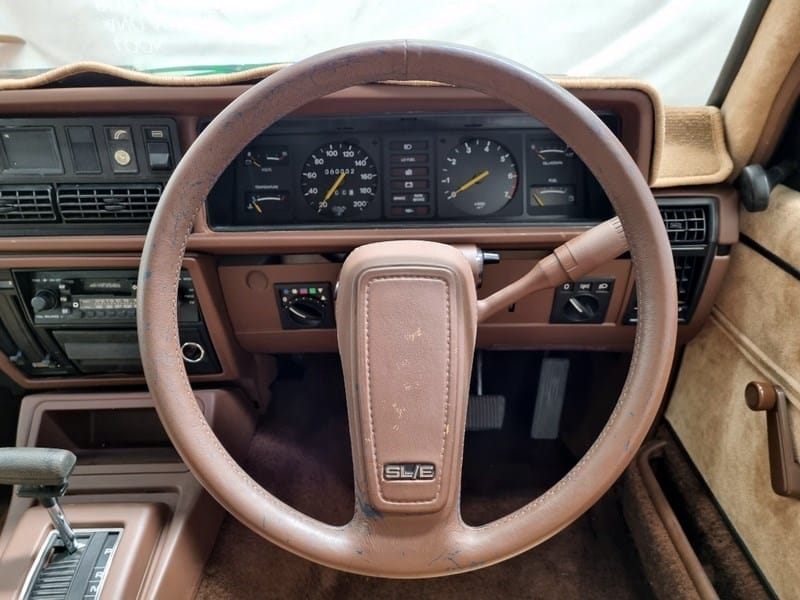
pixel 339 180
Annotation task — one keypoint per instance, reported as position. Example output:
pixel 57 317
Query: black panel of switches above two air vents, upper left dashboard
pixel 81 175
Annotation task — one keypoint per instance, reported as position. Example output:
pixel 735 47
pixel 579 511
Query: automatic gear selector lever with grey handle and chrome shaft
pixel 43 474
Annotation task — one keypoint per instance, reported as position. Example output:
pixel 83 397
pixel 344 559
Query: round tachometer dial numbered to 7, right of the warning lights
pixel 478 177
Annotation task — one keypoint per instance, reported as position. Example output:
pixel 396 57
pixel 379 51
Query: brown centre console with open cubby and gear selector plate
pixel 146 522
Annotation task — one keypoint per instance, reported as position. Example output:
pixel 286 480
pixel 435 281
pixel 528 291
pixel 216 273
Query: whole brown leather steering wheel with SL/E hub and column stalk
pixel 407 316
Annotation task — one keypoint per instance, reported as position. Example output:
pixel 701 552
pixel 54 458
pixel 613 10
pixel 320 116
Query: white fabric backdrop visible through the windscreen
pixel 677 45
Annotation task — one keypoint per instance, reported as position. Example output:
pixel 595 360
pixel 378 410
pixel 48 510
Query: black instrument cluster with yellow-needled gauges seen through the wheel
pixel 396 170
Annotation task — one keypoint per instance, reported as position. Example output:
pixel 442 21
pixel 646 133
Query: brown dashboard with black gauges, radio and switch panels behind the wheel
pixel 78 188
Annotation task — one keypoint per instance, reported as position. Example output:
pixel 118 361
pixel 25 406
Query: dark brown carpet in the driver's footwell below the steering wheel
pixel 300 452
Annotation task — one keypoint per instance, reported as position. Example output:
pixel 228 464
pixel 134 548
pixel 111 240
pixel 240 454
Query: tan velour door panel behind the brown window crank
pixel 753 334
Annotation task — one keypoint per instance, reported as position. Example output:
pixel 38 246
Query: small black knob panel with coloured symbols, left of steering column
pixel 305 305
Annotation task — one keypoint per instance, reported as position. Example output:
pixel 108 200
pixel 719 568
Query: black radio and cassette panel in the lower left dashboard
pixel 83 322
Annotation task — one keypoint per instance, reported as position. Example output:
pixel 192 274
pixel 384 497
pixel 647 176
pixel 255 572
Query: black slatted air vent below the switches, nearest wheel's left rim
pixel 93 204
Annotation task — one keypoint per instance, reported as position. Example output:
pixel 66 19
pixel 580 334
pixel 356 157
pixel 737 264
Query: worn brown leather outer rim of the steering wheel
pixel 422 549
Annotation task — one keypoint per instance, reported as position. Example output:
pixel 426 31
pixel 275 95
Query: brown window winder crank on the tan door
pixel 783 464
